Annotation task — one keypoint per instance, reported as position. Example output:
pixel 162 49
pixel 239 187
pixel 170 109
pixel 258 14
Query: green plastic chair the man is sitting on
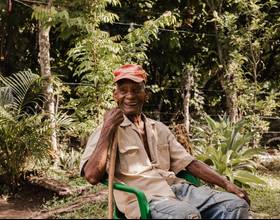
pixel 141 198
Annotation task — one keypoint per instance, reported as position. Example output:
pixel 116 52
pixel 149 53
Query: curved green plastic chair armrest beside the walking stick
pixel 141 198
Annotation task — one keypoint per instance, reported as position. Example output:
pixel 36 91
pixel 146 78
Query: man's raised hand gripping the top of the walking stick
pixel 113 118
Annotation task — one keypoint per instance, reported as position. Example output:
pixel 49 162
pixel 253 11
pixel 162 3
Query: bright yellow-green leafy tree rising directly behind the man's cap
pixel 96 54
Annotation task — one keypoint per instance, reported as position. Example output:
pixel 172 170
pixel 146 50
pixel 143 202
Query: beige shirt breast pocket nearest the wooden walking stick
pixel 130 159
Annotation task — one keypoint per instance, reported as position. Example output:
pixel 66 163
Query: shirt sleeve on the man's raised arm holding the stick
pixel 90 147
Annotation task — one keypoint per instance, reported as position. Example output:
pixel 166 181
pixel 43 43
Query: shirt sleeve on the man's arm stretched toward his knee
pixel 179 157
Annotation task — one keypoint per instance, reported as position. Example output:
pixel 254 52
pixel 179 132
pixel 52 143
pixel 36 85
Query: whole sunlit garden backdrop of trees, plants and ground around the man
pixel 214 78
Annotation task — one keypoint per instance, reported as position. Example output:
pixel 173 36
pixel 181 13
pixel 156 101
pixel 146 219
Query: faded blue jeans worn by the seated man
pixel 199 202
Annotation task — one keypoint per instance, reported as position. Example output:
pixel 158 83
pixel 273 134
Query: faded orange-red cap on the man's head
pixel 130 71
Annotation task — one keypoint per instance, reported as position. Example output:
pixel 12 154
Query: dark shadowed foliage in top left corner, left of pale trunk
pixel 18 38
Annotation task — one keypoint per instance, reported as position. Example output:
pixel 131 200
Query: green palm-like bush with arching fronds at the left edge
pixel 24 136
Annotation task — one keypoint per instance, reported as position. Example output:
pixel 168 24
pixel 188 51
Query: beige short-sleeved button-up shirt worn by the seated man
pixel 134 168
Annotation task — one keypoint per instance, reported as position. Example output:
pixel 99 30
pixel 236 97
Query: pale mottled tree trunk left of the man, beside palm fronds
pixel 44 61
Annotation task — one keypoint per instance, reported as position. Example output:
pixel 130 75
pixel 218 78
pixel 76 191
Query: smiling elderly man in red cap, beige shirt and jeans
pixel 149 157
